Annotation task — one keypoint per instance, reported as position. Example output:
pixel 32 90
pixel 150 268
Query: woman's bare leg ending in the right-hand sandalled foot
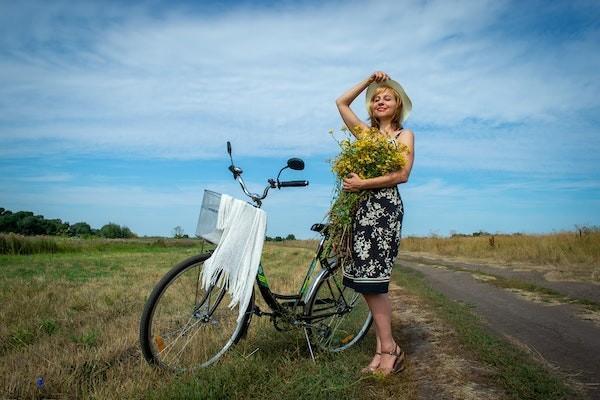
pixel 381 309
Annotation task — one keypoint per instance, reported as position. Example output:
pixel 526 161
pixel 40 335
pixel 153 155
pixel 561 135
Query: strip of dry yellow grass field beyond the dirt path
pixel 578 256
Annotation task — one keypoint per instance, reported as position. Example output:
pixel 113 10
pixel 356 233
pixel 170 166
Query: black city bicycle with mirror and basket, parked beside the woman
pixel 184 327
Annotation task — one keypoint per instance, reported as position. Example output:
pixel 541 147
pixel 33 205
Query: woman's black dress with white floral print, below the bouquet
pixel 375 241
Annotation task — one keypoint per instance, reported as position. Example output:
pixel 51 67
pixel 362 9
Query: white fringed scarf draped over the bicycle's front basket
pixel 238 252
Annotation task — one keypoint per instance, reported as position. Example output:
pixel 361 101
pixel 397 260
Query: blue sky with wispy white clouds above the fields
pixel 119 111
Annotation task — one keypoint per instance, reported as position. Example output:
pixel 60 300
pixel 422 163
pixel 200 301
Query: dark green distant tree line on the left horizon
pixel 27 223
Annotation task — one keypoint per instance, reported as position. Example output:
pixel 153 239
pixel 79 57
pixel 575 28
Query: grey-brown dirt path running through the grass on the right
pixel 566 335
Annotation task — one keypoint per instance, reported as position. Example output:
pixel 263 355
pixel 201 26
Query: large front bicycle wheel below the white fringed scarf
pixel 184 327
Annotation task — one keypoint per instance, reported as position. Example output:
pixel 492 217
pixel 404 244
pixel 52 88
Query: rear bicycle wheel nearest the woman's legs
pixel 339 316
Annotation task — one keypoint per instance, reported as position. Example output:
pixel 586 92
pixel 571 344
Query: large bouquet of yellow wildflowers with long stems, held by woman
pixel 370 155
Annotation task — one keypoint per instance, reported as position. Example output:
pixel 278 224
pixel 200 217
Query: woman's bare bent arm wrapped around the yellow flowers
pixel 354 183
